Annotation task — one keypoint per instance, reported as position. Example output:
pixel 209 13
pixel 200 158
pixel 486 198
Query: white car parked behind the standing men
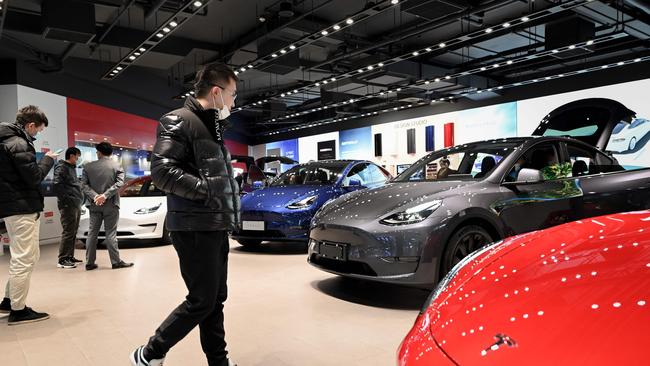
pixel 143 208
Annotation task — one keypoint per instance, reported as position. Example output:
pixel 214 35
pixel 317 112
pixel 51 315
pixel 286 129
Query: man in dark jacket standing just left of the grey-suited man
pixel 68 189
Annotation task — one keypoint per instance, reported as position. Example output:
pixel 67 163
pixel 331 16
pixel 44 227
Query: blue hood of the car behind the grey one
pixel 271 198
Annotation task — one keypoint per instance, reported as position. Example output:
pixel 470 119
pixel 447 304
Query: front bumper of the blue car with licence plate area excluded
pixel 277 226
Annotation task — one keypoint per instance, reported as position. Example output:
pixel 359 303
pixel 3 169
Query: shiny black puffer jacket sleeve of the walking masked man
pixel 170 161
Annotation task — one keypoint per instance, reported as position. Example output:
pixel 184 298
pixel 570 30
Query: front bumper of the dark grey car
pixel 407 255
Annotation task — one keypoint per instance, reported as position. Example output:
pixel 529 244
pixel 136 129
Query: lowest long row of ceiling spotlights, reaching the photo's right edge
pixel 456 96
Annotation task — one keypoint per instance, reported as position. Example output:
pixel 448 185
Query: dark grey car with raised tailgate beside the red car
pixel 453 201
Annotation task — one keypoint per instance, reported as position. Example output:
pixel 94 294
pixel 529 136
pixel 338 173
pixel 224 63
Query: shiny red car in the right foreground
pixel 575 294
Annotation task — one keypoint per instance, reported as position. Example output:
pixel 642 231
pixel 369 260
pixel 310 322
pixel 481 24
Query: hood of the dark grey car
pixel 377 202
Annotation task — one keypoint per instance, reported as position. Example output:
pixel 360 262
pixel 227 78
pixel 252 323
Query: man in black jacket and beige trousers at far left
pixel 21 203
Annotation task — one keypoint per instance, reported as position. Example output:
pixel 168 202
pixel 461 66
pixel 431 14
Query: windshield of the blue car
pixel 311 174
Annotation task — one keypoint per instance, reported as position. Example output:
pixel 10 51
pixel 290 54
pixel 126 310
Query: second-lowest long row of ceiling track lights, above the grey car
pixel 477 70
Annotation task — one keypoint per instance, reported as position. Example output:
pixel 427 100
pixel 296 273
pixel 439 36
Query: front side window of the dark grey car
pixel 543 157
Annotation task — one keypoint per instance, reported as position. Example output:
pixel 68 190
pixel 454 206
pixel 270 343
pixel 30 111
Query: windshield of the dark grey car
pixel 470 162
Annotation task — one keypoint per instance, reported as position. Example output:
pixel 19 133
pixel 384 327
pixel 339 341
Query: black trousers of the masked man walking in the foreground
pixel 203 258
